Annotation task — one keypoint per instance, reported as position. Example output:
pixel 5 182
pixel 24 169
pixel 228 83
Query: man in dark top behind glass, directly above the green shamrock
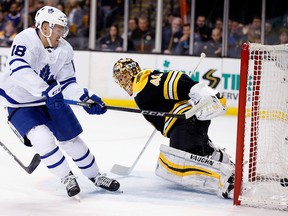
pixel 171 36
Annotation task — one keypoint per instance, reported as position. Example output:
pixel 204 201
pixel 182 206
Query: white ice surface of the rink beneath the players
pixel 116 137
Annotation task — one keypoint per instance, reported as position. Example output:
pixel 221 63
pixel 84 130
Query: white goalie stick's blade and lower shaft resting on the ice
pixel 124 170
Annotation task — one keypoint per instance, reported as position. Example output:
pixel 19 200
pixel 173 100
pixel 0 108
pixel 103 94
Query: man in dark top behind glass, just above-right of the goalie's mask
pixel 143 37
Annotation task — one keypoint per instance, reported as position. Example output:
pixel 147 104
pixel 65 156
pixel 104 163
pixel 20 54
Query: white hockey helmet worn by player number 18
pixel 53 16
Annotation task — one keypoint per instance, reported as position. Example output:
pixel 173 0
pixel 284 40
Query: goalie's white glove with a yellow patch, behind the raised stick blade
pixel 200 91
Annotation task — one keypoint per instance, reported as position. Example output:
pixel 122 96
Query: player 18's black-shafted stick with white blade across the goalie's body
pixel 205 102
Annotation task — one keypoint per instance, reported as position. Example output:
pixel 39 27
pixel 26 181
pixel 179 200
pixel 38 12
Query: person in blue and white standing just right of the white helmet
pixel 75 17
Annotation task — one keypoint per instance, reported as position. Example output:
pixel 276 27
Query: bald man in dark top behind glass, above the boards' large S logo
pixel 213 47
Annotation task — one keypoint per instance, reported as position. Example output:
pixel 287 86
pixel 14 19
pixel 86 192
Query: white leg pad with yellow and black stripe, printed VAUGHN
pixel 193 171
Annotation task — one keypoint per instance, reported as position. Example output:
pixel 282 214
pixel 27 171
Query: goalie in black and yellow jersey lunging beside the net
pixel 191 160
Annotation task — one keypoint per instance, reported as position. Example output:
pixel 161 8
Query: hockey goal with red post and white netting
pixel 261 174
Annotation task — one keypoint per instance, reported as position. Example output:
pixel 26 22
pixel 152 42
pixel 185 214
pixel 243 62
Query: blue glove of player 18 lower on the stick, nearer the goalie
pixel 97 106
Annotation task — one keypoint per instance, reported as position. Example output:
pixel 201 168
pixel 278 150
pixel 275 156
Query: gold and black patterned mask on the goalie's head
pixel 124 72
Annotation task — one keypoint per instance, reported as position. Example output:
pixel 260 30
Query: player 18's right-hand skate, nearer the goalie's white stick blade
pixel 106 183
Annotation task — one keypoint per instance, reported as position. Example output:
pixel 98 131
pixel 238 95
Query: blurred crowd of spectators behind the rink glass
pixel 208 34
